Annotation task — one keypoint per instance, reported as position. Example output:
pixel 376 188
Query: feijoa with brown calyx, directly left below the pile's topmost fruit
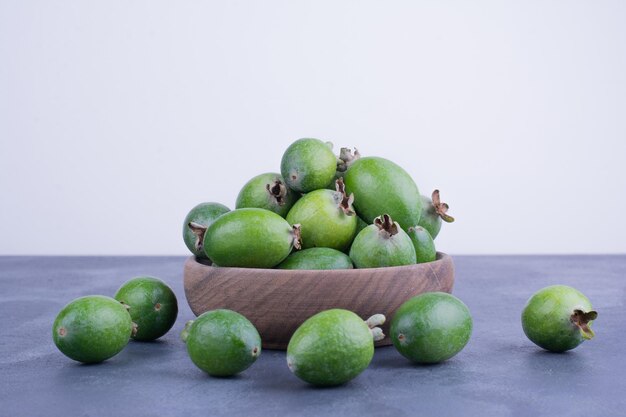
pixel 267 191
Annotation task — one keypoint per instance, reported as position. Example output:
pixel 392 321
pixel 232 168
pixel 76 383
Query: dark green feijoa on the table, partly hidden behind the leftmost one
pixel 153 306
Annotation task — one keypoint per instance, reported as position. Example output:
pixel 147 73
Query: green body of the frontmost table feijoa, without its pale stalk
pixel 330 348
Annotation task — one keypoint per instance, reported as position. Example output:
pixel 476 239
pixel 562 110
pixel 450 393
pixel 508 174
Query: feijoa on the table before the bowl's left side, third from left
pixel 222 342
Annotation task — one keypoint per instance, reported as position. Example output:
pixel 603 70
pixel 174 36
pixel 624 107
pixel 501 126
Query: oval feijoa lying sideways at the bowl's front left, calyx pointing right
pixel 250 238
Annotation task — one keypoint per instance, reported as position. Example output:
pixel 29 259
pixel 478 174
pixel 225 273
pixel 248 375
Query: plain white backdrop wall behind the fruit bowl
pixel 116 117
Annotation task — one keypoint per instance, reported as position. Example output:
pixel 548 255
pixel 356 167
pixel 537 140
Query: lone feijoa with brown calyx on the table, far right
pixel 558 318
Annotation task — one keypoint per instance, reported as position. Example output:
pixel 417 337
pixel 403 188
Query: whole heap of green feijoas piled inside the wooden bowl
pixel 322 211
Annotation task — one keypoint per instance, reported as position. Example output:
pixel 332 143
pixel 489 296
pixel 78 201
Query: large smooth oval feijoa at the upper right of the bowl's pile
pixel 380 186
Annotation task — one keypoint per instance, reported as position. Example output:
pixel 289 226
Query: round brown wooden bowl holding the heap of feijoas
pixel 278 301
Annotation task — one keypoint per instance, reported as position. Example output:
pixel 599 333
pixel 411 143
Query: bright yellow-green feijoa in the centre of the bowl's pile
pixel 323 223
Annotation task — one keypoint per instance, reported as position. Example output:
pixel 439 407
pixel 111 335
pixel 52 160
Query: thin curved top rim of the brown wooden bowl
pixel 441 258
